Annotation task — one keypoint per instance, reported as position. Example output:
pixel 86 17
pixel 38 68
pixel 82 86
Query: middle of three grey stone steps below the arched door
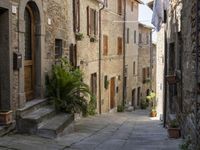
pixel 29 122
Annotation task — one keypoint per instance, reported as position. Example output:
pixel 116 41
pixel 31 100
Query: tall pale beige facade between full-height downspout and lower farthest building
pixel 131 52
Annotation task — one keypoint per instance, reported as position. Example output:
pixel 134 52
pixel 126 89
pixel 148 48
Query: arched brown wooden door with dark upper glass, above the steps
pixel 29 54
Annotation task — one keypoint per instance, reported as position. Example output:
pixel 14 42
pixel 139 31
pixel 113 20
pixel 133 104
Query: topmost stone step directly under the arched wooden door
pixel 31 106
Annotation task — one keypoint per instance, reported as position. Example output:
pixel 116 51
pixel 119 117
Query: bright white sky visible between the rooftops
pixel 145 14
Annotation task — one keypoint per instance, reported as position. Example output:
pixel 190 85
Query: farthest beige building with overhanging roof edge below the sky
pixel 144 64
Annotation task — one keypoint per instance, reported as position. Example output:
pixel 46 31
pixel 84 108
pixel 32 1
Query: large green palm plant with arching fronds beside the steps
pixel 66 89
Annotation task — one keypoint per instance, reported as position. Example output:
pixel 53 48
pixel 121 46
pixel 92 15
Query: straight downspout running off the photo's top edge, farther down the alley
pixel 124 54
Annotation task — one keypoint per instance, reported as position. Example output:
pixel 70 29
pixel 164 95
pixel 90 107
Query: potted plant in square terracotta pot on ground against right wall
pixel 173 129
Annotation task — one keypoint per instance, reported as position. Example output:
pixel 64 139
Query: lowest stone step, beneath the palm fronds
pixel 53 127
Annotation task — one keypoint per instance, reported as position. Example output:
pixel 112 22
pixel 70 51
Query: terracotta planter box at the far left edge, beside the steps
pixel 5 117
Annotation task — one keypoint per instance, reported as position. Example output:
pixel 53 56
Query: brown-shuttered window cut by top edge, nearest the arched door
pixel 76 15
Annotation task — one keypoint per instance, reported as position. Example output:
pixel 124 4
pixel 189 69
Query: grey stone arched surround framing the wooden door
pixel 38 87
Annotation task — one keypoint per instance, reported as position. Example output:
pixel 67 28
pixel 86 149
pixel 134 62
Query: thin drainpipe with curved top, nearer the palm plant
pixel 100 46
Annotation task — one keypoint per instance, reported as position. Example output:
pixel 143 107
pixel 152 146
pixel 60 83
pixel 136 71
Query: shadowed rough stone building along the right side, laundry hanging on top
pixel 182 63
